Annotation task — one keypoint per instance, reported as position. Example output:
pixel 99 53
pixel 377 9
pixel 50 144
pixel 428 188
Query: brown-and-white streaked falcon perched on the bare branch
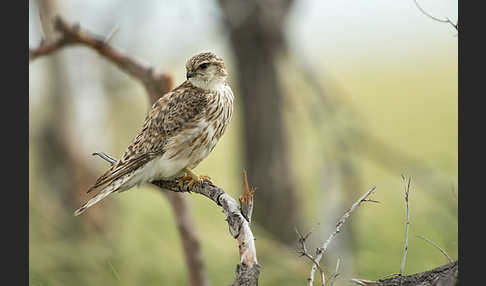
pixel 179 131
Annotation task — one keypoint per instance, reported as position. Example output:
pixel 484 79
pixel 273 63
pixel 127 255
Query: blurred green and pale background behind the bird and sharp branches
pixel 332 97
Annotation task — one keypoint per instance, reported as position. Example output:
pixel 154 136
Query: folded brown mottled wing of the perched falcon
pixel 166 118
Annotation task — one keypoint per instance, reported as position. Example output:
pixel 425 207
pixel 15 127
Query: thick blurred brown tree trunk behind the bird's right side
pixel 256 33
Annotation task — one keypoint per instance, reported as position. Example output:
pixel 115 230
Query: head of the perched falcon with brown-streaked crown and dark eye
pixel 206 71
